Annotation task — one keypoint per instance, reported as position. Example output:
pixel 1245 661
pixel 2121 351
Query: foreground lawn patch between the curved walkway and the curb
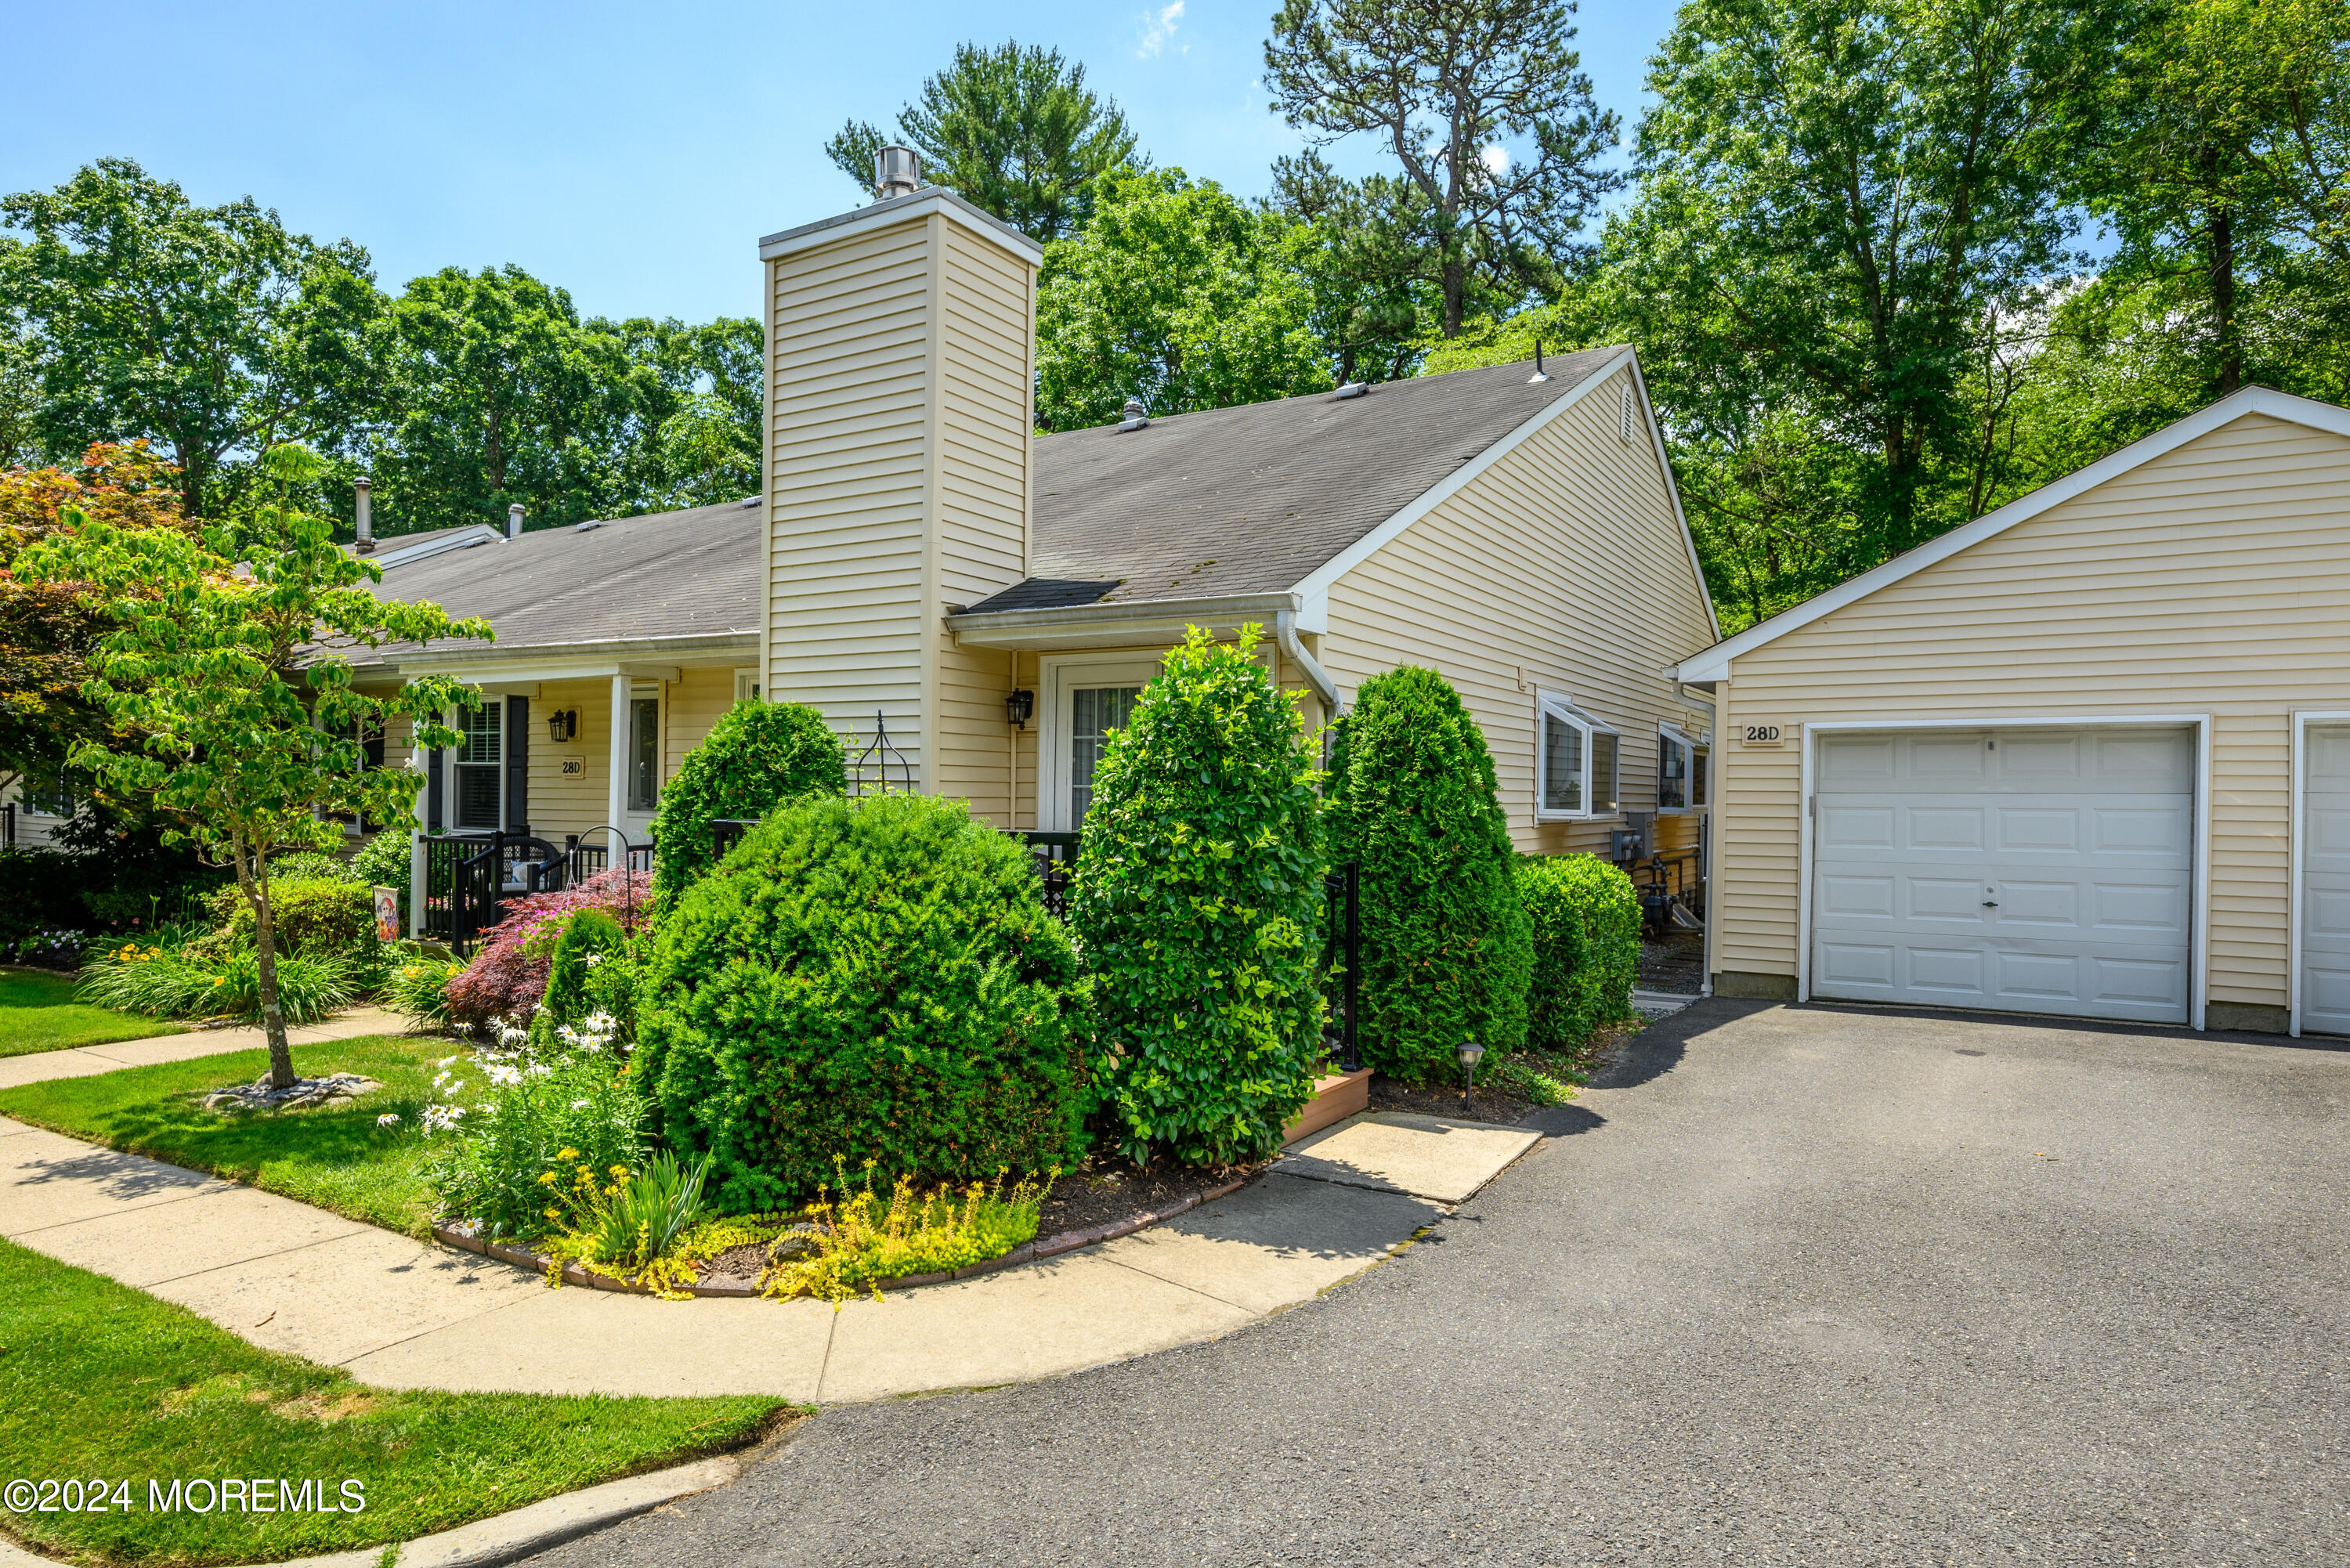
pixel 105 1381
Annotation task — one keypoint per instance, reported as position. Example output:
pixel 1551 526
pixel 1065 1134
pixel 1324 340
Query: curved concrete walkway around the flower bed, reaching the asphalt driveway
pixel 398 1313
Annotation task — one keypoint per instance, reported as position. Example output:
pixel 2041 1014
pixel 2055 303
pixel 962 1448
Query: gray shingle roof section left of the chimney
pixel 666 575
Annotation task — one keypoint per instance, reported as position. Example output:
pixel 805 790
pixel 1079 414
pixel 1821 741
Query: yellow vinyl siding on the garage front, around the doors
pixel 2205 582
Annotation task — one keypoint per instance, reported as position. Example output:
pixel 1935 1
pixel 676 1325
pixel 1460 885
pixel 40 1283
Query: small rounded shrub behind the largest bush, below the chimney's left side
pixel 753 760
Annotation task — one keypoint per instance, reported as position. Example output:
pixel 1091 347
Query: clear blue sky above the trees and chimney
pixel 629 154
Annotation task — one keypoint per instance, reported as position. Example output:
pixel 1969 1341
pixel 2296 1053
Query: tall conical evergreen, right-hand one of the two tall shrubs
pixel 1446 949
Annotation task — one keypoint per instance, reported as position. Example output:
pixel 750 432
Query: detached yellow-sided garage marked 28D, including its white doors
pixel 2083 756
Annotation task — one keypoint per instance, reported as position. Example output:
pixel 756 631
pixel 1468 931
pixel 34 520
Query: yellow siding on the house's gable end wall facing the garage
pixel 1564 563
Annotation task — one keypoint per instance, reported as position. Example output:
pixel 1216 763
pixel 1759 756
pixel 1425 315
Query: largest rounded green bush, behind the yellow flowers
pixel 866 981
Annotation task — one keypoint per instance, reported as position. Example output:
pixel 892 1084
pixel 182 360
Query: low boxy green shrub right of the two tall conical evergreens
pixel 1587 946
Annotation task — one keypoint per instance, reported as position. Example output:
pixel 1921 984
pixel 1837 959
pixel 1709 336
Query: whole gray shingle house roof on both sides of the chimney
pixel 1228 502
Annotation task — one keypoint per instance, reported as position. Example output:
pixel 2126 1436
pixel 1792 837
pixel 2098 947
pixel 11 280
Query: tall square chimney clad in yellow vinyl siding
pixel 899 474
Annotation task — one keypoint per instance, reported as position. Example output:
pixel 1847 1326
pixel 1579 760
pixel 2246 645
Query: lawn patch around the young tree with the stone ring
pixel 335 1158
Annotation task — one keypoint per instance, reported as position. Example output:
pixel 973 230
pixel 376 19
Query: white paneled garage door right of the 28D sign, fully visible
pixel 2039 871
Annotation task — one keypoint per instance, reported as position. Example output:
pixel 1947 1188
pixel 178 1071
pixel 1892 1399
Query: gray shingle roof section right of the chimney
pixel 1254 500
